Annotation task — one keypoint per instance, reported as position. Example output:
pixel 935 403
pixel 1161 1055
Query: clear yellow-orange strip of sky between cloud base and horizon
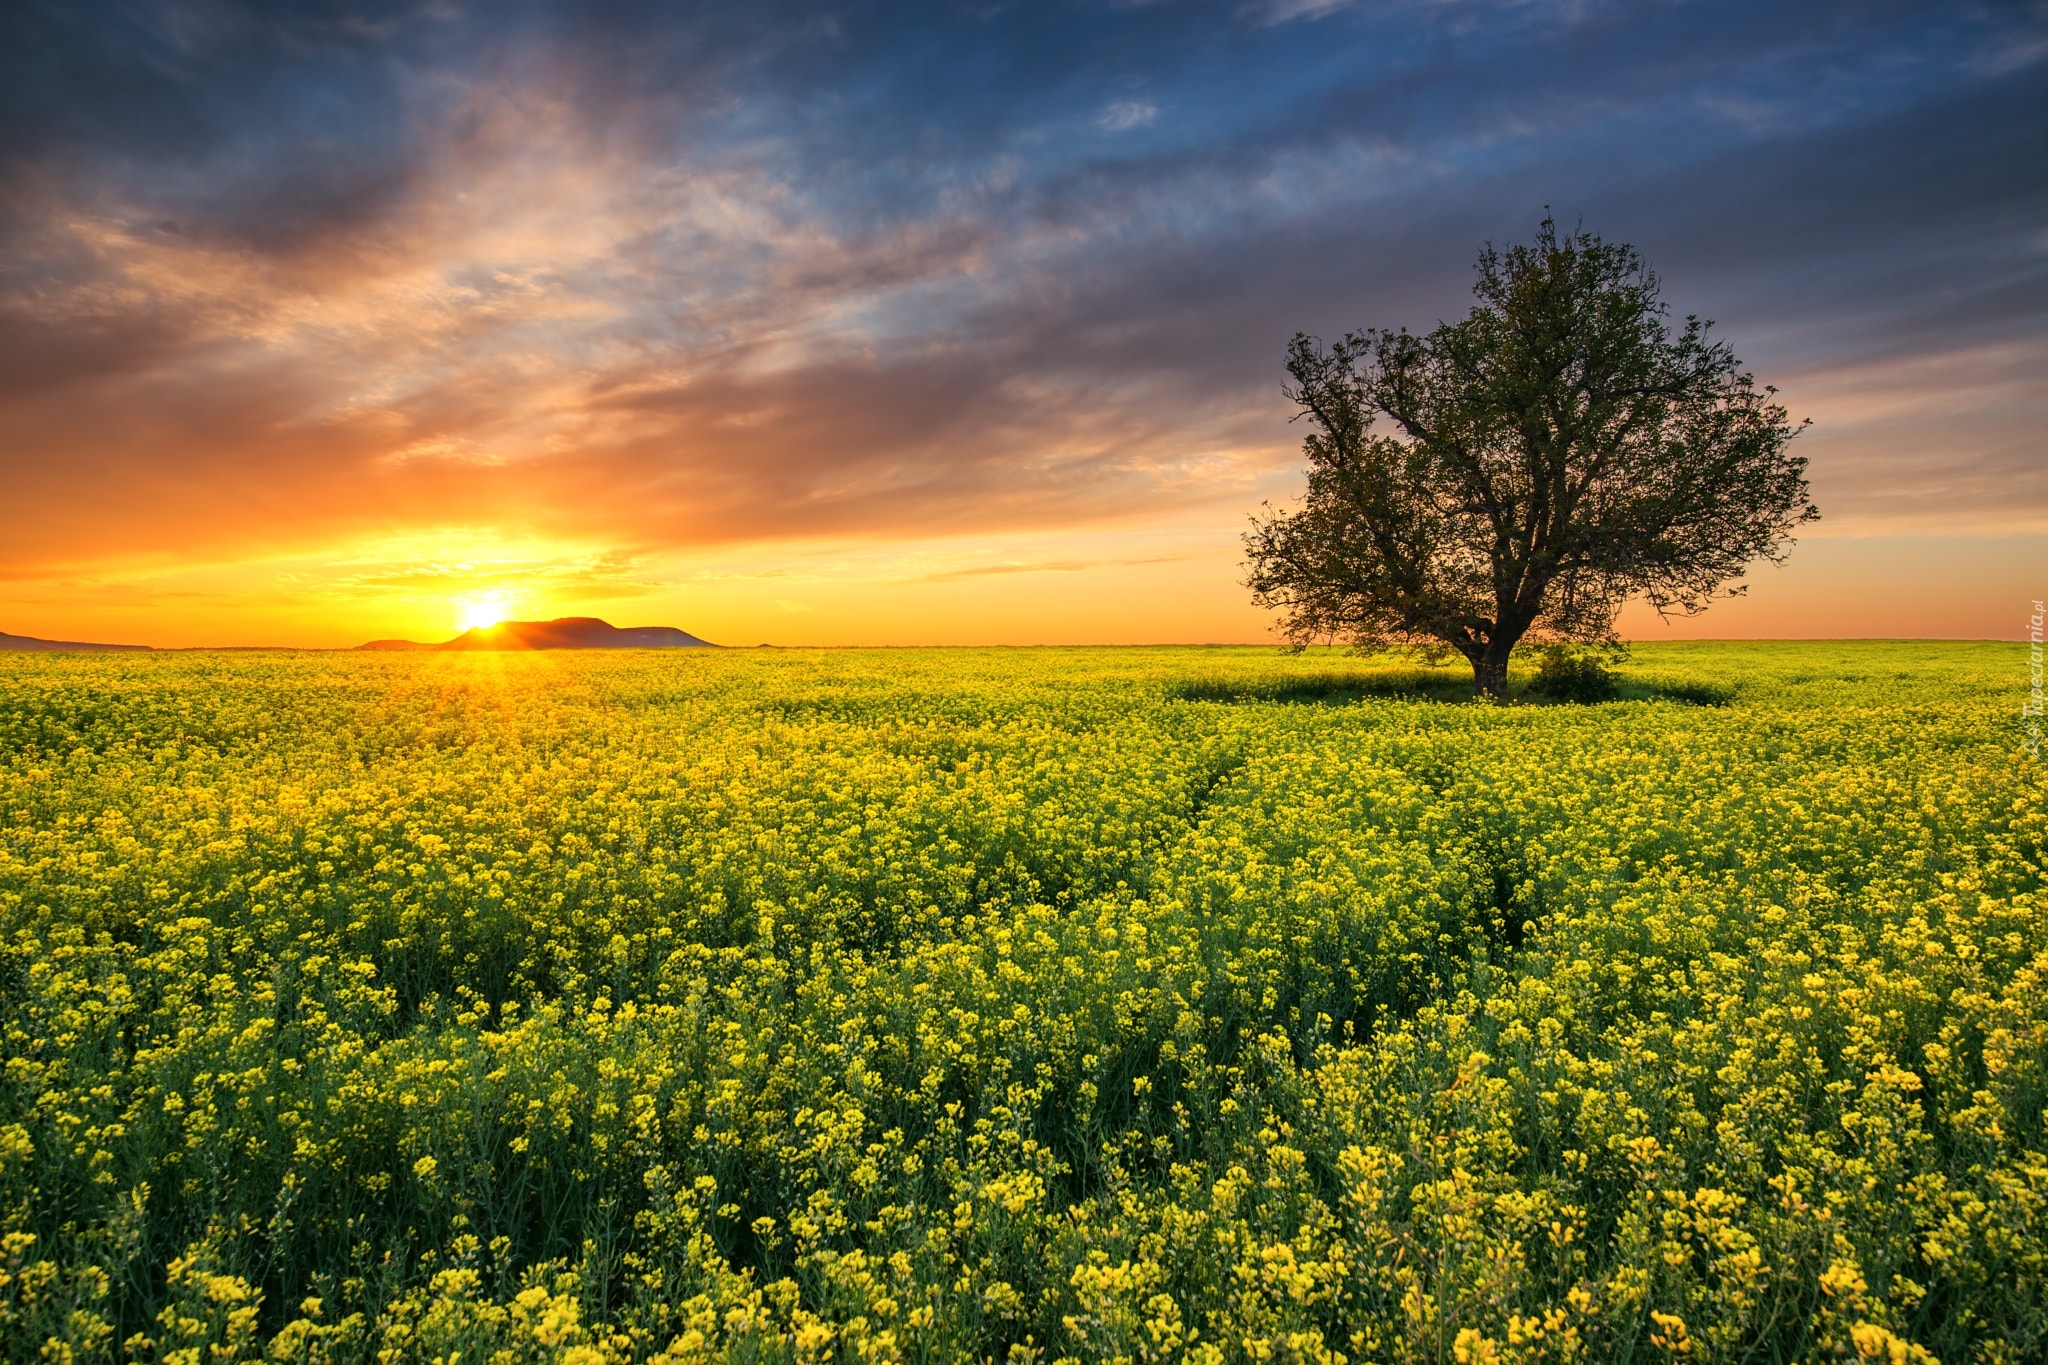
pixel 1164 584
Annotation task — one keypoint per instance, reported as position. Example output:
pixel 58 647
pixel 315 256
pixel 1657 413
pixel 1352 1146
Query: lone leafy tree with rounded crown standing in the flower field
pixel 1558 453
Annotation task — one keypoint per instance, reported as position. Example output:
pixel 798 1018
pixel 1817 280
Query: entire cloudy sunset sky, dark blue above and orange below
pixel 947 322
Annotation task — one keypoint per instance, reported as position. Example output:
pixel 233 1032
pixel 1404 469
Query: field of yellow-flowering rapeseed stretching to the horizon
pixel 1021 1006
